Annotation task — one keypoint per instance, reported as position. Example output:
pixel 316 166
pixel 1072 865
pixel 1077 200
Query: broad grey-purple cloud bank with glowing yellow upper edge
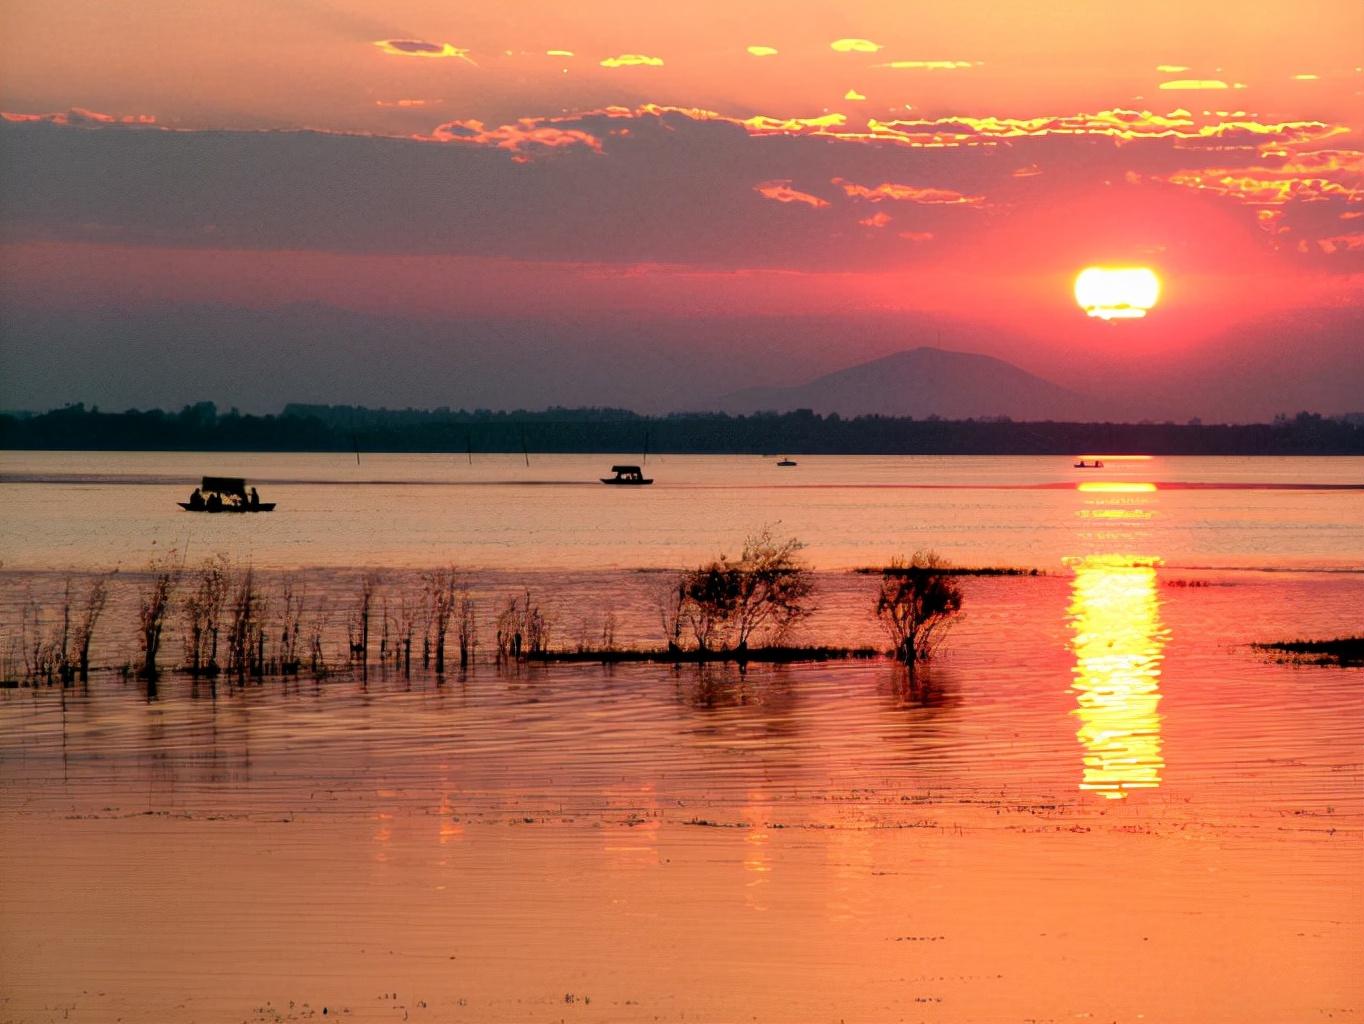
pixel 677 186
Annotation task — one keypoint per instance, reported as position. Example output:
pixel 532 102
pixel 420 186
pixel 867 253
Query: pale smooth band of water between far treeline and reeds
pixel 87 511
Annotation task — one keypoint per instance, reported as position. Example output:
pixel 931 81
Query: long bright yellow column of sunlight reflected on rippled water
pixel 1119 643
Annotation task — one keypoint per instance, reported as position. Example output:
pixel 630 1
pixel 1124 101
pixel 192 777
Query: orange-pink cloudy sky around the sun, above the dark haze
pixel 710 159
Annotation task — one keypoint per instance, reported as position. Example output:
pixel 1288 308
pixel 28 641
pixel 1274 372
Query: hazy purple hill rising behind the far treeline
pixel 923 382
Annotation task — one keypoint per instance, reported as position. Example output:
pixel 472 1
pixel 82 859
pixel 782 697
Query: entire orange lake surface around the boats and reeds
pixel 1100 804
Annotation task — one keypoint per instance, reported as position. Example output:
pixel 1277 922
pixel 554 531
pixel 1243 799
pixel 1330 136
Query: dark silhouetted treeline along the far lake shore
pixel 614 432
